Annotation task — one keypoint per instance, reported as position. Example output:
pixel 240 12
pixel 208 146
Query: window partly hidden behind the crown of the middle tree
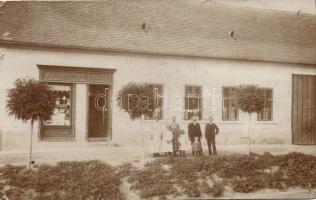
pixel 158 100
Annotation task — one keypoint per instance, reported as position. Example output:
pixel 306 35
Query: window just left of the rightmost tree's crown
pixel 230 104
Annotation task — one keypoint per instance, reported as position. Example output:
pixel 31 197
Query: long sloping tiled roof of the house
pixel 175 27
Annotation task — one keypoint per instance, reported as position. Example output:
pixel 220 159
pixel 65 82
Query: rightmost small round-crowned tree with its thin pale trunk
pixel 251 100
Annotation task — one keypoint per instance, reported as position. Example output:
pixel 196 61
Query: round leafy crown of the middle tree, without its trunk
pixel 136 99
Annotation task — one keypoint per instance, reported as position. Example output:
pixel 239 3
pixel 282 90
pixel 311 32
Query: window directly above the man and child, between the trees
pixel 193 102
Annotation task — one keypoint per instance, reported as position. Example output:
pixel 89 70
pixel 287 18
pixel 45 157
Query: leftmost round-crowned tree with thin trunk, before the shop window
pixel 30 101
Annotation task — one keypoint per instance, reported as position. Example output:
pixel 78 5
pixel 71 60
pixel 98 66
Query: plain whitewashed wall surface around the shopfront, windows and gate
pixel 171 71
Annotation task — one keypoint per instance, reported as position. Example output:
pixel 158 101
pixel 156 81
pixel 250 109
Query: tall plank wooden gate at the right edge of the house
pixel 304 110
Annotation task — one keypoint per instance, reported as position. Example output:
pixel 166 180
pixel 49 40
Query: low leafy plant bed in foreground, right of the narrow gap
pixel 243 173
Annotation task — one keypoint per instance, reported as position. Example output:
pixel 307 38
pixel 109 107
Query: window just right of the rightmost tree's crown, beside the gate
pixel 266 114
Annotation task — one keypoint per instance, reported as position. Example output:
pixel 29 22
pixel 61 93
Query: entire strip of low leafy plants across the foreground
pixel 164 177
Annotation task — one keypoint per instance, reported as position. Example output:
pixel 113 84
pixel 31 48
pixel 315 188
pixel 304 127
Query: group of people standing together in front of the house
pixel 169 139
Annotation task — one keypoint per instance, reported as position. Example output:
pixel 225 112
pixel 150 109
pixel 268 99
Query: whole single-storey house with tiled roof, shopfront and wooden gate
pixel 87 51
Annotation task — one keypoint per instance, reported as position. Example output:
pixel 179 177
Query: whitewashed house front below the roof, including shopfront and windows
pixel 210 79
